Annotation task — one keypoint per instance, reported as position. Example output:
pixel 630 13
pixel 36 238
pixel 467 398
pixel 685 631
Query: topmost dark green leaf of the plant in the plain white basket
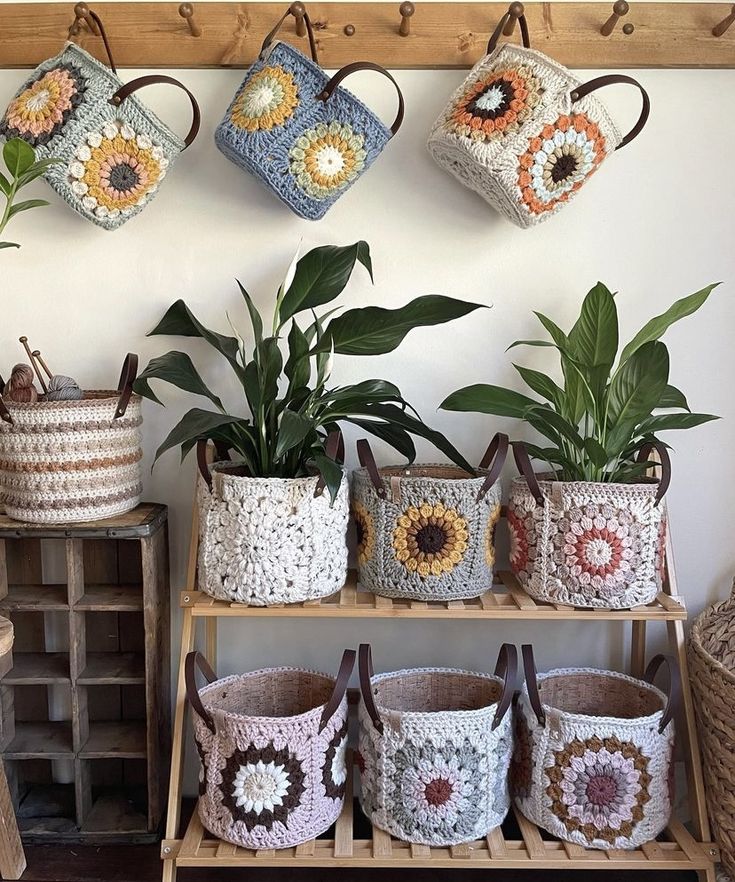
pixel 321 275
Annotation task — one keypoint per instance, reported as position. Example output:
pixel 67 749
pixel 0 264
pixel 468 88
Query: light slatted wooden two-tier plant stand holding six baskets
pixel 519 844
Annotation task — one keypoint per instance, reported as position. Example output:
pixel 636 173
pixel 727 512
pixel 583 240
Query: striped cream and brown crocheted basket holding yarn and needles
pixel 70 461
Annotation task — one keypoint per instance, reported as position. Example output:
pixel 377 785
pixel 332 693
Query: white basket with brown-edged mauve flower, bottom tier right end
pixel 593 758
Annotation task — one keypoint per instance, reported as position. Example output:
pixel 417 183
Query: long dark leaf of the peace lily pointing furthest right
pixel 373 330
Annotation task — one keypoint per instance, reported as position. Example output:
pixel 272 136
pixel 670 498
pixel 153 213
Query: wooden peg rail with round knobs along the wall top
pixel 440 35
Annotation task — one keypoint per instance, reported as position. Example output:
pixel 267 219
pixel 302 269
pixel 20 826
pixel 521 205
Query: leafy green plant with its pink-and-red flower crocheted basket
pixel 591 532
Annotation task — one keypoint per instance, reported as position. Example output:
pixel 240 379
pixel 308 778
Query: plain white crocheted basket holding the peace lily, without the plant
pixel 265 541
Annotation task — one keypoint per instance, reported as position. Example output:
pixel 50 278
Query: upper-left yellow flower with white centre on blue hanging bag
pixel 267 100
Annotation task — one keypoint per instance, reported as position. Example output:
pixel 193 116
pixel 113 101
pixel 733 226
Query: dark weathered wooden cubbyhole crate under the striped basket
pixel 88 680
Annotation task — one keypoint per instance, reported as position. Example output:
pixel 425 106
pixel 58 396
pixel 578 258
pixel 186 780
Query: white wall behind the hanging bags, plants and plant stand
pixel 655 224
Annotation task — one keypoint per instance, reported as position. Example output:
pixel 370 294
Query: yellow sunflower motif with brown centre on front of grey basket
pixel 430 539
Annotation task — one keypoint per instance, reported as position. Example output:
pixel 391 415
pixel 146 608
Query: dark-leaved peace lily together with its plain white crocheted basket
pixel 267 532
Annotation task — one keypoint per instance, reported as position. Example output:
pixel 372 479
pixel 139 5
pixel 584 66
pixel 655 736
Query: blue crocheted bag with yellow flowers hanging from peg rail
pixel 300 133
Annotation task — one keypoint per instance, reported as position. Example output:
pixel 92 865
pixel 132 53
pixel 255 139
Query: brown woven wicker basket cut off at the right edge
pixel 712 675
